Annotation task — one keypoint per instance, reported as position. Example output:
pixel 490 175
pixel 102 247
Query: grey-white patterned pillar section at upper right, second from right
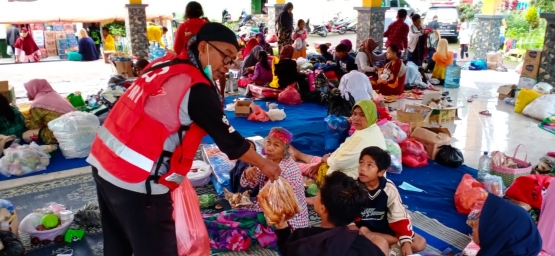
pixel 487 35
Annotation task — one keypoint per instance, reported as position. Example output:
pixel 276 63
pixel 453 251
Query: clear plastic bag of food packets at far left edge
pixel 23 159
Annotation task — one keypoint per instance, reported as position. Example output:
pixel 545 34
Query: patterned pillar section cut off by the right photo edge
pixel 547 65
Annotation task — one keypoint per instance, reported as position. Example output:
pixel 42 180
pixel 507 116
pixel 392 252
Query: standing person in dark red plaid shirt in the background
pixel 397 33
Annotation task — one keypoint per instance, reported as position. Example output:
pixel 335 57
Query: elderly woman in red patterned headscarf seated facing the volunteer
pixel 276 148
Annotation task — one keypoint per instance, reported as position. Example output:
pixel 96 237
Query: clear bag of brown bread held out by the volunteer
pixel 278 201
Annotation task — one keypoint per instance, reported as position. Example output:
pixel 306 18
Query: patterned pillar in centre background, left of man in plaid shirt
pixel 371 23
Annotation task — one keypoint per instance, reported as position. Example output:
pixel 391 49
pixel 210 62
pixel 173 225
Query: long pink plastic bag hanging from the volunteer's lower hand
pixel 192 237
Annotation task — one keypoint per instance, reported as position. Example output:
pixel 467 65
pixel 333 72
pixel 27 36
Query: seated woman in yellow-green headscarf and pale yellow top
pixel 346 157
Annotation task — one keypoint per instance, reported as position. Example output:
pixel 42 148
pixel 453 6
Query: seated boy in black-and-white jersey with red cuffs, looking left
pixel 385 216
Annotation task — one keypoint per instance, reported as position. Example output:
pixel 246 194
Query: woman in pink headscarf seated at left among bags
pixel 46 106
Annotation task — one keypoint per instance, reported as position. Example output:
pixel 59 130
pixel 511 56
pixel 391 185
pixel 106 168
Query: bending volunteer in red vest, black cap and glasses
pixel 148 142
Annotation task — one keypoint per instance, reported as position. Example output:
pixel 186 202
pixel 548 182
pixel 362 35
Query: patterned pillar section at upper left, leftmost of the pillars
pixel 135 23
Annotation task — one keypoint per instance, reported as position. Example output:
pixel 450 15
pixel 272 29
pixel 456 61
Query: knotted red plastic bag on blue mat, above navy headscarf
pixel 469 193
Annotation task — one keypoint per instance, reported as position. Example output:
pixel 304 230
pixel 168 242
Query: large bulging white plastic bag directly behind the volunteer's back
pixel 75 131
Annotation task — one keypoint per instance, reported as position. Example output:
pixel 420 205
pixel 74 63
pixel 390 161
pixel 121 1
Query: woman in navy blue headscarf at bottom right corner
pixel 504 228
